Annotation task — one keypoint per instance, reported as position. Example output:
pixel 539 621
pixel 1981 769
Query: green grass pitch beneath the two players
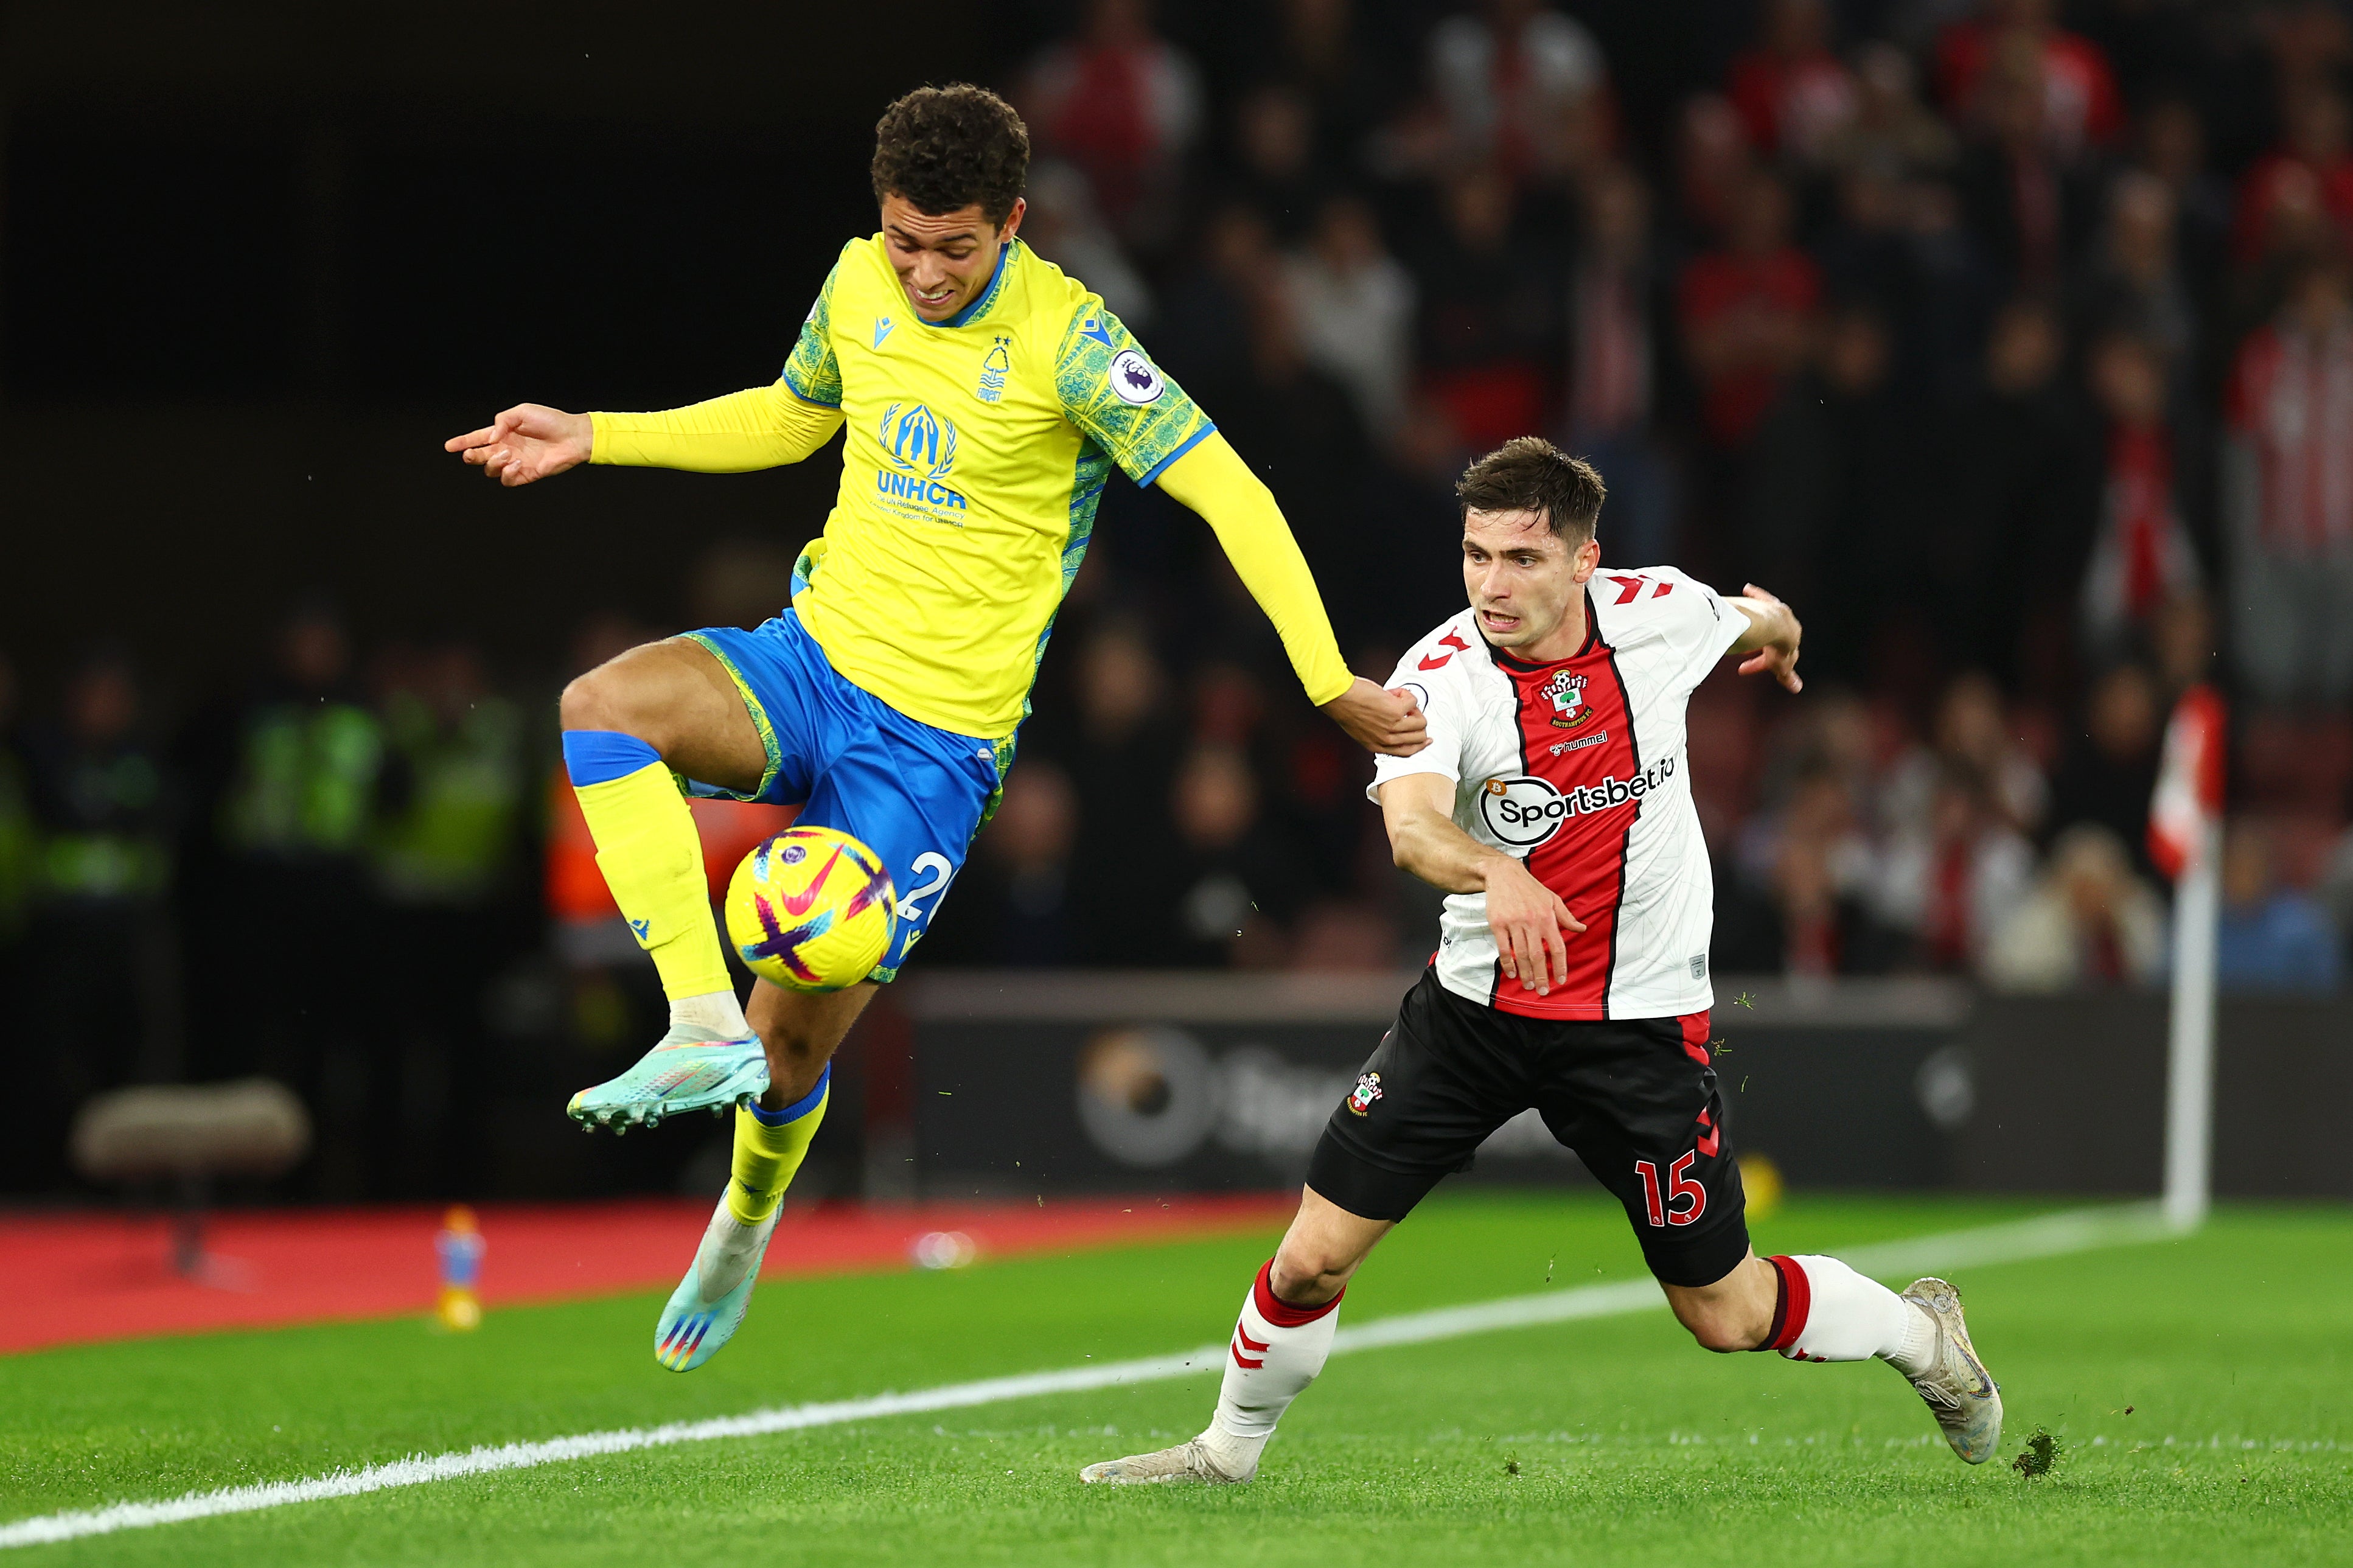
pixel 1599 1442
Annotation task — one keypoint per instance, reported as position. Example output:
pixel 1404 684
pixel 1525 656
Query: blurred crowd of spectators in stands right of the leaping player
pixel 2011 343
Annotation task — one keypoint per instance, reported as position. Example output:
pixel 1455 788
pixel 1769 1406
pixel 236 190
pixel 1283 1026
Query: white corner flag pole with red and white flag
pixel 2185 839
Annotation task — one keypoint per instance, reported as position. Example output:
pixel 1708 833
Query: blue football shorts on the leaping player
pixel 855 764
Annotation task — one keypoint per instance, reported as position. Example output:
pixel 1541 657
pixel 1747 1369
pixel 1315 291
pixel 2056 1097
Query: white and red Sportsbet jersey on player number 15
pixel 1578 769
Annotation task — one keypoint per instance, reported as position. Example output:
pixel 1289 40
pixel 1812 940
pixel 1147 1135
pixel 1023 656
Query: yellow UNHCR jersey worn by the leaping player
pixel 978 453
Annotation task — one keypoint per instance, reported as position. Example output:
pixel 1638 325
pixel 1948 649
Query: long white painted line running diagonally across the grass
pixel 2015 1242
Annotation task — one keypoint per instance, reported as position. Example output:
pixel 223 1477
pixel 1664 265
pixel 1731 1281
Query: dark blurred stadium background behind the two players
pixel 1924 314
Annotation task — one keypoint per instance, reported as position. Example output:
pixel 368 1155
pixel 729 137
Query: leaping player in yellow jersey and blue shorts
pixel 987 399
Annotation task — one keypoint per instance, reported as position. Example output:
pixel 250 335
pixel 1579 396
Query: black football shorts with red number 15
pixel 1634 1098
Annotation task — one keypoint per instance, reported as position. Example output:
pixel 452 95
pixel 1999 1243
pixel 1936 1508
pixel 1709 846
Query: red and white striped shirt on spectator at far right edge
pixel 2293 406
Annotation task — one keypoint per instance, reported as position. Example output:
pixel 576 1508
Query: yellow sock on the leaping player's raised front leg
pixel 653 861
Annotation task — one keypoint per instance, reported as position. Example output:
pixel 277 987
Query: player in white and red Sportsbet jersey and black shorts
pixel 1573 971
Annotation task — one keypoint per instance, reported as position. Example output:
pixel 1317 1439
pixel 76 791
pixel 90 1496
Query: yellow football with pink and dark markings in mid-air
pixel 811 910
